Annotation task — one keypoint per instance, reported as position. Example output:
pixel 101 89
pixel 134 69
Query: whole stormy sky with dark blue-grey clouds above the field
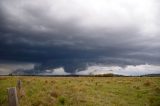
pixel 61 37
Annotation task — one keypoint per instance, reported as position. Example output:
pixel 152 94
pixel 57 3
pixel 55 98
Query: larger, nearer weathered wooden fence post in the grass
pixel 12 96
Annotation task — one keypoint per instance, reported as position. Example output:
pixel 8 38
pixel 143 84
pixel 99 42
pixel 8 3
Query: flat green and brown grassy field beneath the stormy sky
pixel 83 91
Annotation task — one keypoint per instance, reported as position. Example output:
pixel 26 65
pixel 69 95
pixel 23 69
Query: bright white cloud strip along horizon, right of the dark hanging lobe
pixel 127 70
